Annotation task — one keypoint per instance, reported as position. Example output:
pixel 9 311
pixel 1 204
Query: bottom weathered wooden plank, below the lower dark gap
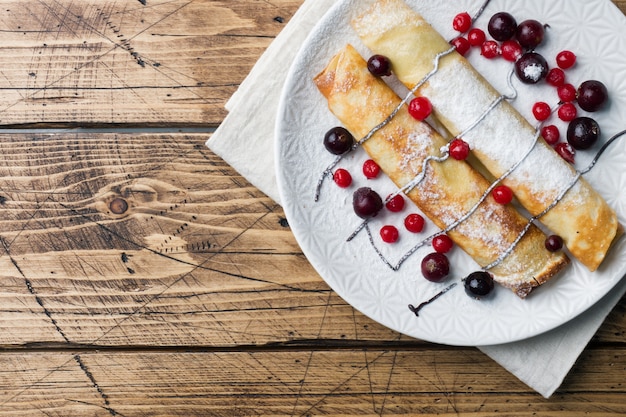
pixel 367 382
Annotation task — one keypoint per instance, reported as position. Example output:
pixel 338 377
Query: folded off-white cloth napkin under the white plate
pixel 245 140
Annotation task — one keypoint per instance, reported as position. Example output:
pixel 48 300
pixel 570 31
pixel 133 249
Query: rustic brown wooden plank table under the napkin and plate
pixel 141 275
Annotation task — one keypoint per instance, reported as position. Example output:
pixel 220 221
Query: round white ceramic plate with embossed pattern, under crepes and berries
pixel 594 29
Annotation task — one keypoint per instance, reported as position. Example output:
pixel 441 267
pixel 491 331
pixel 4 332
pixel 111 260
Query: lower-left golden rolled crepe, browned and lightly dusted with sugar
pixel 450 189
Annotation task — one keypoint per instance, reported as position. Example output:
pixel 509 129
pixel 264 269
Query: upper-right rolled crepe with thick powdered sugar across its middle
pixel 460 97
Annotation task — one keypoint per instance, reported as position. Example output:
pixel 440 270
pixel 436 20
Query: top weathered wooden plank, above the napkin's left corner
pixel 166 63
